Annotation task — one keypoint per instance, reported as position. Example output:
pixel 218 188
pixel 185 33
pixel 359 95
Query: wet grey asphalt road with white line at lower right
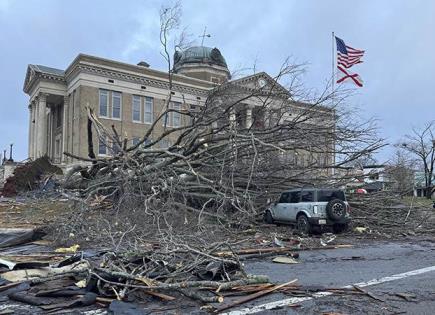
pixel 382 268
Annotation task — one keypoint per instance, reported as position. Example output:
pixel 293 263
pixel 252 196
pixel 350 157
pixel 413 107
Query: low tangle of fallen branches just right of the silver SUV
pixel 386 213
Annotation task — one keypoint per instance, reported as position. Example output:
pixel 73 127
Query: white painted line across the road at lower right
pixel 289 301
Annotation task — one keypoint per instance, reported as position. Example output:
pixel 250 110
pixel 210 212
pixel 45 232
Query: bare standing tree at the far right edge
pixel 421 144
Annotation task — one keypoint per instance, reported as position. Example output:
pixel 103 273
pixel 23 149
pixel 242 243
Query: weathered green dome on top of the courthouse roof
pixel 203 63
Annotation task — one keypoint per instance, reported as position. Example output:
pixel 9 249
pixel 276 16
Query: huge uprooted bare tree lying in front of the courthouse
pixel 227 157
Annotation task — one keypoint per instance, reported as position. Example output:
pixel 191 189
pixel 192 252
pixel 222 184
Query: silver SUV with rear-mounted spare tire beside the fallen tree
pixel 308 208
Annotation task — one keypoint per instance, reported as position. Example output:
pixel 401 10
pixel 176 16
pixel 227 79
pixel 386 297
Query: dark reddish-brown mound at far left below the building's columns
pixel 28 176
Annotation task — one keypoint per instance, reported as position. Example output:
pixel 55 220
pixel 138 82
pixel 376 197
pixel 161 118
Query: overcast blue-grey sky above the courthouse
pixel 398 69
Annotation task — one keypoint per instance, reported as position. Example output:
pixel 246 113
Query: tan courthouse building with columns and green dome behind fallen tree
pixel 128 96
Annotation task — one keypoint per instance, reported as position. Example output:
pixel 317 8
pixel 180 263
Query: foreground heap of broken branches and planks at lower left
pixel 163 274
